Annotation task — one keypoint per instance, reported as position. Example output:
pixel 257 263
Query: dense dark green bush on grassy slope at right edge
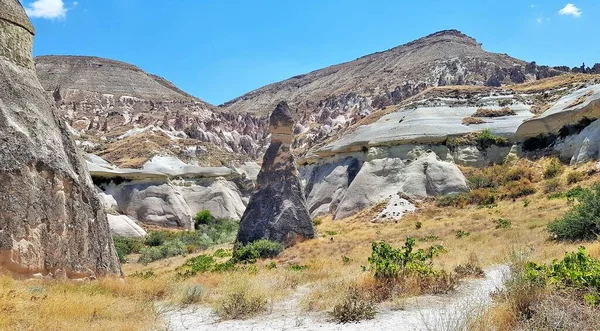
pixel 582 222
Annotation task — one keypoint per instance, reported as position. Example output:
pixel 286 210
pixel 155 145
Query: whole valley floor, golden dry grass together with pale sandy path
pixel 303 284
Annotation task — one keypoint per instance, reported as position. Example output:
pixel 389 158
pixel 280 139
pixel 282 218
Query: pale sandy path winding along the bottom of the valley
pixel 446 312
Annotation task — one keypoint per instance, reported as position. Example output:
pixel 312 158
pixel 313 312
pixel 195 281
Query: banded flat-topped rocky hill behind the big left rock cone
pixel 127 115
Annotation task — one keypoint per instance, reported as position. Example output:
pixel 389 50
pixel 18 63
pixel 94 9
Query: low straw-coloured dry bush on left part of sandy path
pixel 240 305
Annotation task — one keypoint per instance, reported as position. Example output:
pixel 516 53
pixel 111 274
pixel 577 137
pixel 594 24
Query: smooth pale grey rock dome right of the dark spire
pixel 379 179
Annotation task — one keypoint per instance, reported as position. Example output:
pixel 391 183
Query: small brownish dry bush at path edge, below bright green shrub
pixel 353 308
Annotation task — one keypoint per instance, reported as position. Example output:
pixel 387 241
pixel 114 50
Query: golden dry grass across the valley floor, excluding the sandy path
pixel 333 266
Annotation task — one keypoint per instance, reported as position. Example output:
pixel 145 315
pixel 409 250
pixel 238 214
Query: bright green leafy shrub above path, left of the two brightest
pixel 390 263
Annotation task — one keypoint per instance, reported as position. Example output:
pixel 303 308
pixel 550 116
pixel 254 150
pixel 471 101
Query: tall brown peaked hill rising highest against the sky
pixel 341 94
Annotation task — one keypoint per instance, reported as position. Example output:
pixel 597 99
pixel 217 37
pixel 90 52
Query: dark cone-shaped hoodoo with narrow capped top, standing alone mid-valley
pixel 277 210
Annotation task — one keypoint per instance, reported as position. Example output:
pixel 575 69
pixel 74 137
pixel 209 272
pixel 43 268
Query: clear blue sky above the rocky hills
pixel 220 49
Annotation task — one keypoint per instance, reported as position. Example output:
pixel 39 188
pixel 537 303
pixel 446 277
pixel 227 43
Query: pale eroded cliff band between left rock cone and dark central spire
pixel 168 192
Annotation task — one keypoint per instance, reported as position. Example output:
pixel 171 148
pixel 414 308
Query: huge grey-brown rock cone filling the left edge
pixel 51 221
